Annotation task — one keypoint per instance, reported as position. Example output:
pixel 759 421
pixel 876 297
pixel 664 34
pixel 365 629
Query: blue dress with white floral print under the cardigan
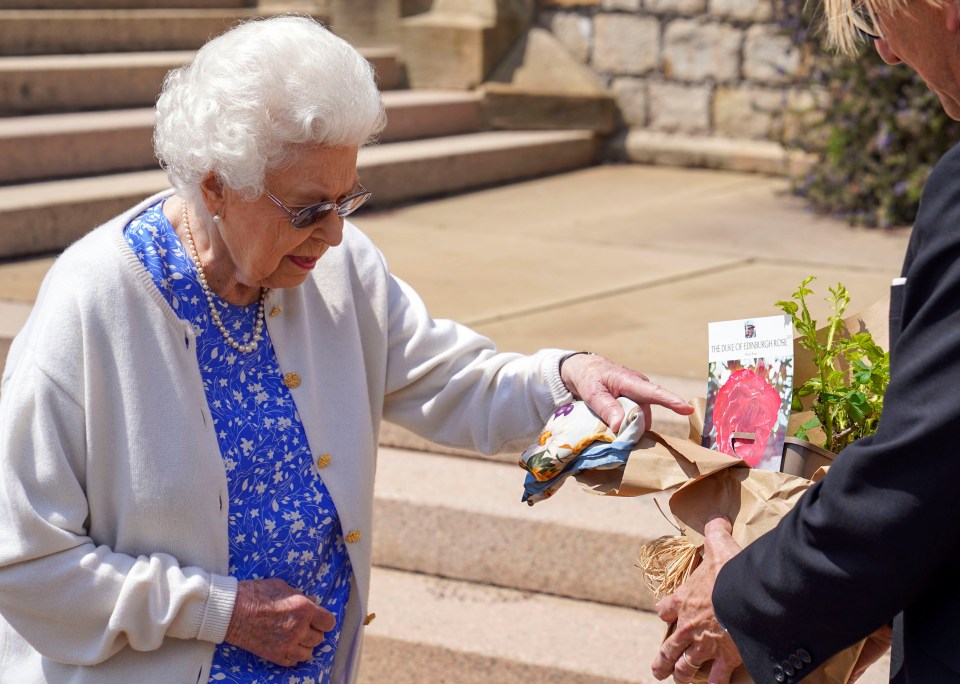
pixel 282 521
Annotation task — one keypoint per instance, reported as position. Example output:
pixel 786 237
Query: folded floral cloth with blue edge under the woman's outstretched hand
pixel 573 440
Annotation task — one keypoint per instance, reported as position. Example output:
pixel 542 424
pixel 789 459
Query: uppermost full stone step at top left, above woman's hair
pixel 43 32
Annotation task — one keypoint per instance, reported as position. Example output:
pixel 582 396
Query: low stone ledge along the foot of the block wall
pixel 650 147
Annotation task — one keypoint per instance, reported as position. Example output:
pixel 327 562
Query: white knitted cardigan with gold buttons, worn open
pixel 113 506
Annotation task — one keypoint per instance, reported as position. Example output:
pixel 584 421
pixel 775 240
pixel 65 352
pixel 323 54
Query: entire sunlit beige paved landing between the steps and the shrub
pixel 628 261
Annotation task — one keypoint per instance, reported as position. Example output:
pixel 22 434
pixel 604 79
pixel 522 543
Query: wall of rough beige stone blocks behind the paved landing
pixel 700 67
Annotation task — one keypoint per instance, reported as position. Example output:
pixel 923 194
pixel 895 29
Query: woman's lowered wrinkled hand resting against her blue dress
pixel 273 620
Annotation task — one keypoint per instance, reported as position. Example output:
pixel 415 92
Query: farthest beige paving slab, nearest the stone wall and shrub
pixel 720 212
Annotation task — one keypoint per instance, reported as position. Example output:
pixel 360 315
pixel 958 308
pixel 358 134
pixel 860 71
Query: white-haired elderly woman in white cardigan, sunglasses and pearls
pixel 189 419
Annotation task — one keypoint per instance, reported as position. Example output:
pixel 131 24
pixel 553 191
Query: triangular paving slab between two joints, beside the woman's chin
pixel 484 276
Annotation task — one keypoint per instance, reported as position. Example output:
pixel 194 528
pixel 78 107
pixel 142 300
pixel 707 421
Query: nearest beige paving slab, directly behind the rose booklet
pixel 663 328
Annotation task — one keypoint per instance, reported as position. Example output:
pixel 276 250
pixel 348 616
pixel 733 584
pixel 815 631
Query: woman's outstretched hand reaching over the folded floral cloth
pixel 598 381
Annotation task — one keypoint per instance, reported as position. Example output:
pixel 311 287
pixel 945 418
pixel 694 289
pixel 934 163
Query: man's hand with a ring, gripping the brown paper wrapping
pixel 698 637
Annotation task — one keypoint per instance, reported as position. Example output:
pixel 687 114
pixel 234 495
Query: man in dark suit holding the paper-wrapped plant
pixel 878 540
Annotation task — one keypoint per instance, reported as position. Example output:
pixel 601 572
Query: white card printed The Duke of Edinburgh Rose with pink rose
pixel 749 389
